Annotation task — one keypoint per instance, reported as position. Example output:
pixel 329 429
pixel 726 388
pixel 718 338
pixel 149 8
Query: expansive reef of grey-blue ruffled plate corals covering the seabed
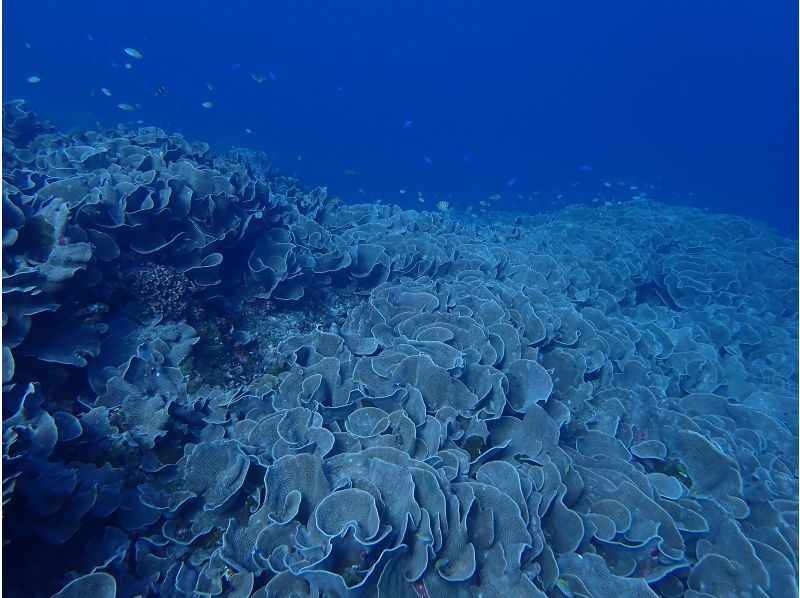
pixel 220 383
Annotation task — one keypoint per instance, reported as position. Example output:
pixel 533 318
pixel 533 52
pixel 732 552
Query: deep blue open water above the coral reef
pixel 696 103
